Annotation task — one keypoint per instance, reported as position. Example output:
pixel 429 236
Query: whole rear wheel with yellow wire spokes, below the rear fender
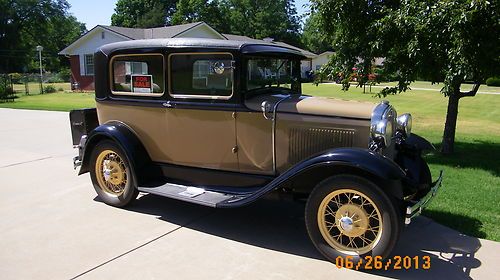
pixel 112 175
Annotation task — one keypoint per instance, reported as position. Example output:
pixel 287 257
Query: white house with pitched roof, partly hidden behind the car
pixel 81 51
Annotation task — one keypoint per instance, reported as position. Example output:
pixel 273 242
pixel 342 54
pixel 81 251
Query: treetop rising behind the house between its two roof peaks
pixel 143 13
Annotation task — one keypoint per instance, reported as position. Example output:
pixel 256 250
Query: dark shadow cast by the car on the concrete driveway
pixel 279 225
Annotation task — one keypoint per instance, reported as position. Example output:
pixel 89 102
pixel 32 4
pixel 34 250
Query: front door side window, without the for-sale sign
pixel 201 75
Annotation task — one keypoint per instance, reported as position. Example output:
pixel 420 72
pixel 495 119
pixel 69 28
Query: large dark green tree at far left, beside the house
pixel 24 24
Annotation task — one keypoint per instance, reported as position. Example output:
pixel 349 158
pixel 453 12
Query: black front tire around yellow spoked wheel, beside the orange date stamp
pixel 383 242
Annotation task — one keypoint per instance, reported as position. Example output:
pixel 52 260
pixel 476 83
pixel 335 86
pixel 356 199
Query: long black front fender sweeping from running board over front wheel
pixel 385 171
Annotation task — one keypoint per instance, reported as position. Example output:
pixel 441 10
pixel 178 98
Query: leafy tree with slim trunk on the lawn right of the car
pixel 441 41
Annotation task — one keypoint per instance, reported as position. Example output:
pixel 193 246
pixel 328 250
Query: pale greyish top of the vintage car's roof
pixel 247 47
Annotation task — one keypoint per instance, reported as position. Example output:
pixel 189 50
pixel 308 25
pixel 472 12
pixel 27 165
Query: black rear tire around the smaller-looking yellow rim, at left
pixel 128 189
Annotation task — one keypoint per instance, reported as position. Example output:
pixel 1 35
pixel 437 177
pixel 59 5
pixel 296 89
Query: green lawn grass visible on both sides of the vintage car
pixel 470 198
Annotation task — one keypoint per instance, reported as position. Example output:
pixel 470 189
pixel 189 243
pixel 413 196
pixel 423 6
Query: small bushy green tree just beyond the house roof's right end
pixel 313 38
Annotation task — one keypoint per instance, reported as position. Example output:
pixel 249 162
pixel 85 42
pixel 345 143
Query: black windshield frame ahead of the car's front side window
pixel 296 85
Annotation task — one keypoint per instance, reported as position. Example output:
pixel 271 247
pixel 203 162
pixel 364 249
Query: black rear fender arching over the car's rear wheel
pixel 125 138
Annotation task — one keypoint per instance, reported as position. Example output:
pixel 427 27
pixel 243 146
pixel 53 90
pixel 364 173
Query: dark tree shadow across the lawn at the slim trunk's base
pixel 470 155
